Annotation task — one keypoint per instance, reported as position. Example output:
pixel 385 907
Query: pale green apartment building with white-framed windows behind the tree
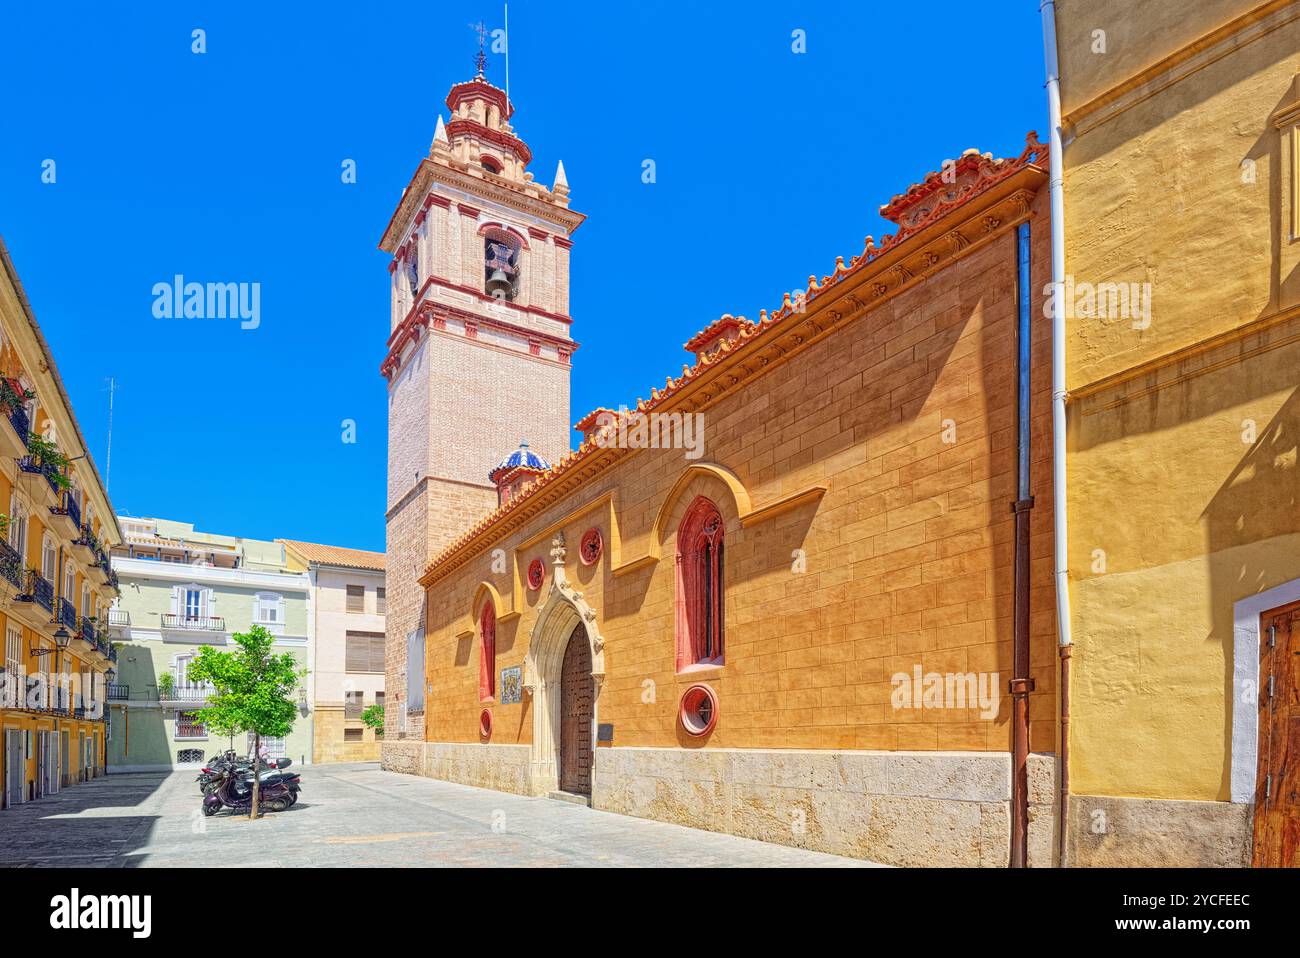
pixel 183 589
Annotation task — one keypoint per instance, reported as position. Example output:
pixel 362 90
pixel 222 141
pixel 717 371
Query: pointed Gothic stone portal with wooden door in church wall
pixel 560 745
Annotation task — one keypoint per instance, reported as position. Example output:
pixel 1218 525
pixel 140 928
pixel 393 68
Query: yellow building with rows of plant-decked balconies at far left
pixel 57 584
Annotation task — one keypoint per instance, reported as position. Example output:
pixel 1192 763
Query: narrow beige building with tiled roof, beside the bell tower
pixel 348 622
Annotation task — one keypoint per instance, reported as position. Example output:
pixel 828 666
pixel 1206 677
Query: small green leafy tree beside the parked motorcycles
pixel 253 692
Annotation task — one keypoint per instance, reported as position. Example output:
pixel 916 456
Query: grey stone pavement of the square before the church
pixel 357 816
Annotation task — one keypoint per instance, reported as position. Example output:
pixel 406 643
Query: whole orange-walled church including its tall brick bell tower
pixel 831 626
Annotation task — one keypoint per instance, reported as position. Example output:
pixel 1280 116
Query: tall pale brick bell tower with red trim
pixel 479 356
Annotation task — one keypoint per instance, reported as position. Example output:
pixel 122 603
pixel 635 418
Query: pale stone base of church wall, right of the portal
pixel 904 809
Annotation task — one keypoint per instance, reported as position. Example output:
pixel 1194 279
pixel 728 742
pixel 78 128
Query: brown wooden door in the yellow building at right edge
pixel 1277 788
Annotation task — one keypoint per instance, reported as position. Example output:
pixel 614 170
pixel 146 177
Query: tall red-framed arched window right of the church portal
pixel 701 587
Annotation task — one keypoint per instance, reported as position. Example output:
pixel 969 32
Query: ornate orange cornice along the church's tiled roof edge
pixel 948 231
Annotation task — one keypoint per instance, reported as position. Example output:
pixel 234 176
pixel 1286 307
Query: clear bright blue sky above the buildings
pixel 226 167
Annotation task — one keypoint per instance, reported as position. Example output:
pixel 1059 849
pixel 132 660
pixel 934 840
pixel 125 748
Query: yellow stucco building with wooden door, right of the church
pixel 1182 242
